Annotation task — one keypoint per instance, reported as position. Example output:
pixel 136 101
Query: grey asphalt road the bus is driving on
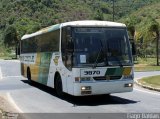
pixel 40 99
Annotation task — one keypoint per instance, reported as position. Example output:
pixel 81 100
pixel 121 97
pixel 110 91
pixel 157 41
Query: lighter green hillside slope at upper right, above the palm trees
pixel 142 17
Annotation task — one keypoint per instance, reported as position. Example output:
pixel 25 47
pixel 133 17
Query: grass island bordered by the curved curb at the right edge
pixel 153 81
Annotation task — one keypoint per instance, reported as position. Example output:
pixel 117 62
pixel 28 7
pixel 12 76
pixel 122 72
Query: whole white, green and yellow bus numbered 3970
pixel 79 58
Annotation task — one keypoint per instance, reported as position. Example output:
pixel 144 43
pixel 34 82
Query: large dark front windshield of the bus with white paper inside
pixel 100 47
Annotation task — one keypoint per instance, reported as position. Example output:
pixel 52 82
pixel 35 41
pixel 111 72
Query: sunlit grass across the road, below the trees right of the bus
pixel 146 64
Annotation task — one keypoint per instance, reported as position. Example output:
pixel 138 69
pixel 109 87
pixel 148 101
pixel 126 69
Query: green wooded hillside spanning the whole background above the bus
pixel 28 16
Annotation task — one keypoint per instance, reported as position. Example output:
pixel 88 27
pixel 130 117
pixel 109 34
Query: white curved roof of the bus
pixel 74 23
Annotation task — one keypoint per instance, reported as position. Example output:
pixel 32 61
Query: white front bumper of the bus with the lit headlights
pixel 103 87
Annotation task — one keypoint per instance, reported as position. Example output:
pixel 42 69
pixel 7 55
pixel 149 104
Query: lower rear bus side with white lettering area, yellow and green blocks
pixel 39 64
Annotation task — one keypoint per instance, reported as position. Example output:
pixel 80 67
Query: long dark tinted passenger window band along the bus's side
pixel 48 42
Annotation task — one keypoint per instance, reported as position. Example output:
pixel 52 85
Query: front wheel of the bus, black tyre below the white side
pixel 58 86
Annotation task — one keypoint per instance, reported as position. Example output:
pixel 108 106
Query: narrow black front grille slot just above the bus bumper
pixel 107 78
